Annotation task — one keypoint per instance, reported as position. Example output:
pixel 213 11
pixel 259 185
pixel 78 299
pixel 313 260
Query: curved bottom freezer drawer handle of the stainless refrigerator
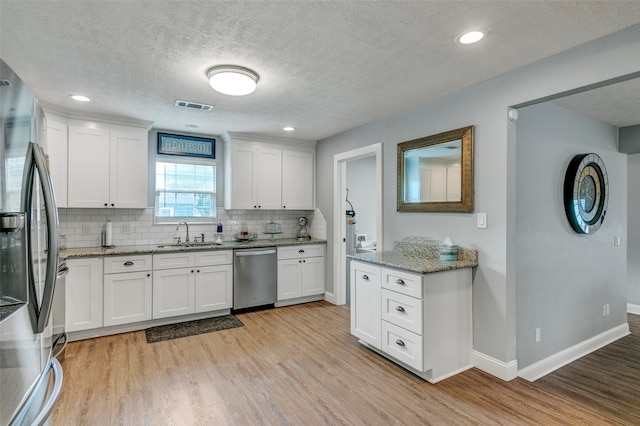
pixel 47 407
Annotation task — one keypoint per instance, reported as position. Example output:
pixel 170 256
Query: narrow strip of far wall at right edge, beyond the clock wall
pixel 633 231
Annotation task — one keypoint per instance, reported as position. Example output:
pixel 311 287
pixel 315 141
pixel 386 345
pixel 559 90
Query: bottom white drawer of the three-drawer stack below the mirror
pixel 403 345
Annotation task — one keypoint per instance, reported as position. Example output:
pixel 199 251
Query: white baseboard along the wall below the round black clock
pixel 562 358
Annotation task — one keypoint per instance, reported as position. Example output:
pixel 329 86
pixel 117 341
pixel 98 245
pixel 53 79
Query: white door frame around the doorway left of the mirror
pixel 339 206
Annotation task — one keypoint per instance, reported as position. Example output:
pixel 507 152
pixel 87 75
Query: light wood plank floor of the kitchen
pixel 289 366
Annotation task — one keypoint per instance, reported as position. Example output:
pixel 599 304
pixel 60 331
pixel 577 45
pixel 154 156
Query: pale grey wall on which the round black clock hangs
pixel 563 279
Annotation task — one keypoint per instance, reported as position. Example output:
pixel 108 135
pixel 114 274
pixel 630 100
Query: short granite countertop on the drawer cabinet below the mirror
pixel 420 264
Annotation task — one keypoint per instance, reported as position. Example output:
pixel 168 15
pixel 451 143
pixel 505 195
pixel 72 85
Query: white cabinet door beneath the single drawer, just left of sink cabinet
pixel 127 298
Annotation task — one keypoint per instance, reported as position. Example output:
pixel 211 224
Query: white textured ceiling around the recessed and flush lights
pixel 324 67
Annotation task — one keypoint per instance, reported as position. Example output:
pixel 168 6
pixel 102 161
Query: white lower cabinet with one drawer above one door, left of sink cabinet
pixel 127 295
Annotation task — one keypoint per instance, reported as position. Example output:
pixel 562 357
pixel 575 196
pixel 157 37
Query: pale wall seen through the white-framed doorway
pixel 361 179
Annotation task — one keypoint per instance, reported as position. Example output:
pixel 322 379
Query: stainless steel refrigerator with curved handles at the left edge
pixel 30 378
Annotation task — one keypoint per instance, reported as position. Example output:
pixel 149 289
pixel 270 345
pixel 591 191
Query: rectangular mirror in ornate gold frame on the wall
pixel 435 173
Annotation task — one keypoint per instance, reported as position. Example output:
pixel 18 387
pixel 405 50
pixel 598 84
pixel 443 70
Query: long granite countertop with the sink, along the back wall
pixel 70 253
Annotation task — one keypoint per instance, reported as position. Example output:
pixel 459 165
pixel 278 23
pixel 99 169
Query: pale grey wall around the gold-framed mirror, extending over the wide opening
pixel 484 106
